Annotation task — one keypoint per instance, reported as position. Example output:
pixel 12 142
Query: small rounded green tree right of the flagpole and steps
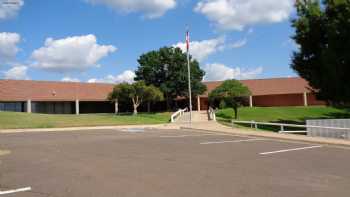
pixel 231 92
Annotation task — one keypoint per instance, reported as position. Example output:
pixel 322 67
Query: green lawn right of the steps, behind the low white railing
pixel 294 115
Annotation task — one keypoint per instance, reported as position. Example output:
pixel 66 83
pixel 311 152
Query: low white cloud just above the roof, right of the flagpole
pixel 216 72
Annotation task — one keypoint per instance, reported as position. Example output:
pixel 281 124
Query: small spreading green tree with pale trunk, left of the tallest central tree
pixel 137 92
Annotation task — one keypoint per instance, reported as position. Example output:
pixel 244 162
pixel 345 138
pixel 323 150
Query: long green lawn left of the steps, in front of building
pixel 13 120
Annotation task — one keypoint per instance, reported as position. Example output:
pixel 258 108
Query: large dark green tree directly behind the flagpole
pixel 166 69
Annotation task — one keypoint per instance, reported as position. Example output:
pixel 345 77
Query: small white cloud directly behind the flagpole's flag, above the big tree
pixel 200 50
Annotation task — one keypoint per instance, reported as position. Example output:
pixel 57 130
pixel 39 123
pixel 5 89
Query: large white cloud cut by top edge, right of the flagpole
pixel 237 14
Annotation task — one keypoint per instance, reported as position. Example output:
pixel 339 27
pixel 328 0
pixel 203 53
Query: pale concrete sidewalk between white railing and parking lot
pixel 212 126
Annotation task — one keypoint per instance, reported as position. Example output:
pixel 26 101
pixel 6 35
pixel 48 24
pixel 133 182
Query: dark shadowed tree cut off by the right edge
pixel 323 34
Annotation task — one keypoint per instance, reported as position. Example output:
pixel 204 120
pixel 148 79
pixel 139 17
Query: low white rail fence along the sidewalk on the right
pixel 282 127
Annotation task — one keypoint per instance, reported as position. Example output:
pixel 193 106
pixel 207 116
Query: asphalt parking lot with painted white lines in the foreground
pixel 162 163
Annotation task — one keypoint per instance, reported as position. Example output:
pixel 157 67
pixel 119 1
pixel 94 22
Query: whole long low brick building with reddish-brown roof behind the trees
pixel 72 97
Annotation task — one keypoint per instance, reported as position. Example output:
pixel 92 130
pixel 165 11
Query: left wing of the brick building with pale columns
pixel 54 97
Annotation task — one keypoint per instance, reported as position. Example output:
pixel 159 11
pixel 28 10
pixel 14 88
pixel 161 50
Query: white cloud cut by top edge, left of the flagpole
pixel 151 8
